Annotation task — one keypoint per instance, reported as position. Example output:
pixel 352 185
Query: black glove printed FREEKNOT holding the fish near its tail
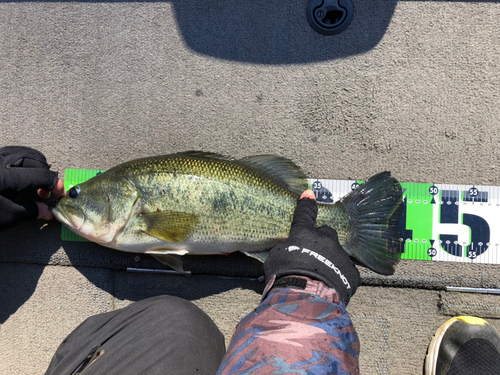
pixel 313 252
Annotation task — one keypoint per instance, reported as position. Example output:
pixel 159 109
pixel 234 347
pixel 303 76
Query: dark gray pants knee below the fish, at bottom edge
pixel 159 335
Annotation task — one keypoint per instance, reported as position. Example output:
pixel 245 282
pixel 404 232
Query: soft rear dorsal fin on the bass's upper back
pixel 280 168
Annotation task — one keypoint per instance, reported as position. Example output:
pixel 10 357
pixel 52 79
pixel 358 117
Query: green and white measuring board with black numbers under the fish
pixel 441 222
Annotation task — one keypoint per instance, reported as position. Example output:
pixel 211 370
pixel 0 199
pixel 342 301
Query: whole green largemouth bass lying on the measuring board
pixel 201 203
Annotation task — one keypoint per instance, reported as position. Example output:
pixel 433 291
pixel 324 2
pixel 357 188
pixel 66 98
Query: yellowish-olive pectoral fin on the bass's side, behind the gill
pixel 170 226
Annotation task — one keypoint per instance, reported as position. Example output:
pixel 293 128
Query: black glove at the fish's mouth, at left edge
pixel 23 170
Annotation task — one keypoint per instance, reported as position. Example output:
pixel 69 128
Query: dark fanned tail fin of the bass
pixel 374 209
